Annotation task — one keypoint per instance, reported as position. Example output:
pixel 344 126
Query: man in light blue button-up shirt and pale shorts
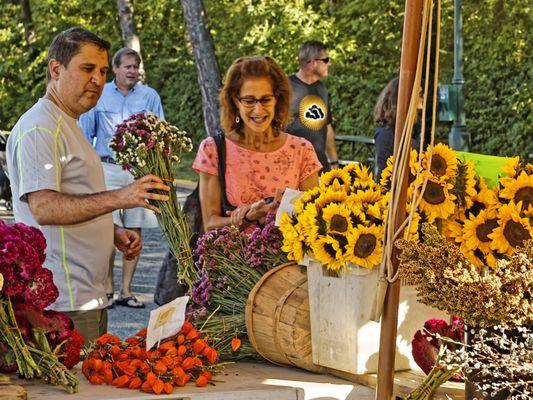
pixel 121 98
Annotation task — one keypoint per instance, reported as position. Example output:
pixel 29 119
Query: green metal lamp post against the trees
pixel 458 139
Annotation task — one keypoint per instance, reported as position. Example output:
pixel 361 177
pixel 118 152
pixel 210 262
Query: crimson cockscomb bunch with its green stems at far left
pixel 34 342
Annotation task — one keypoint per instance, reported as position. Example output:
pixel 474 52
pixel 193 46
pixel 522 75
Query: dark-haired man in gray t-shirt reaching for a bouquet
pixel 58 182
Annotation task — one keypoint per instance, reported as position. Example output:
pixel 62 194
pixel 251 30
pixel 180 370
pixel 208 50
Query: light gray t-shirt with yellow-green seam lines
pixel 48 150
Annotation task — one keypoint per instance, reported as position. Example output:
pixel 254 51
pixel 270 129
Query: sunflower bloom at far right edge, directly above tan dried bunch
pixel 512 229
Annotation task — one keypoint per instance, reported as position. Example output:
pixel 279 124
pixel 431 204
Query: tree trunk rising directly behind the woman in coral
pixel 206 62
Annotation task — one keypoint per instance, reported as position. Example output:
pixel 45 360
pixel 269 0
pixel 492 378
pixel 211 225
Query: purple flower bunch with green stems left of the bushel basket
pixel 229 263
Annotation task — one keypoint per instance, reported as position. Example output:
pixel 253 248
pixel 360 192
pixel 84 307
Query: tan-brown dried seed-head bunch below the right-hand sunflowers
pixel 447 280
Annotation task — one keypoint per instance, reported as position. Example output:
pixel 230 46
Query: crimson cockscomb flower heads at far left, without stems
pixel 30 288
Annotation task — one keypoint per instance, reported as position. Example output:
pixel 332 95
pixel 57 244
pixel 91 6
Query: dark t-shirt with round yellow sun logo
pixel 311 115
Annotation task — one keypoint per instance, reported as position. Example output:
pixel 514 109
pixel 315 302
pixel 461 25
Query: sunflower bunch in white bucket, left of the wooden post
pixel 339 222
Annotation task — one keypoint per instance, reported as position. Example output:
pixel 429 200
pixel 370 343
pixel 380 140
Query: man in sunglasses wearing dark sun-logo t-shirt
pixel 310 107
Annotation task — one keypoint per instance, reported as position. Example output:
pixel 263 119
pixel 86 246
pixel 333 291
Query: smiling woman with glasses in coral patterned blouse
pixel 261 159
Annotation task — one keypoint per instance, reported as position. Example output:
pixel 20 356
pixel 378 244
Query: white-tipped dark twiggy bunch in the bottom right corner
pixel 498 361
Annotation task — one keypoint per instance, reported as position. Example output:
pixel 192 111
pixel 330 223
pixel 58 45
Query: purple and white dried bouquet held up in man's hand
pixel 144 144
